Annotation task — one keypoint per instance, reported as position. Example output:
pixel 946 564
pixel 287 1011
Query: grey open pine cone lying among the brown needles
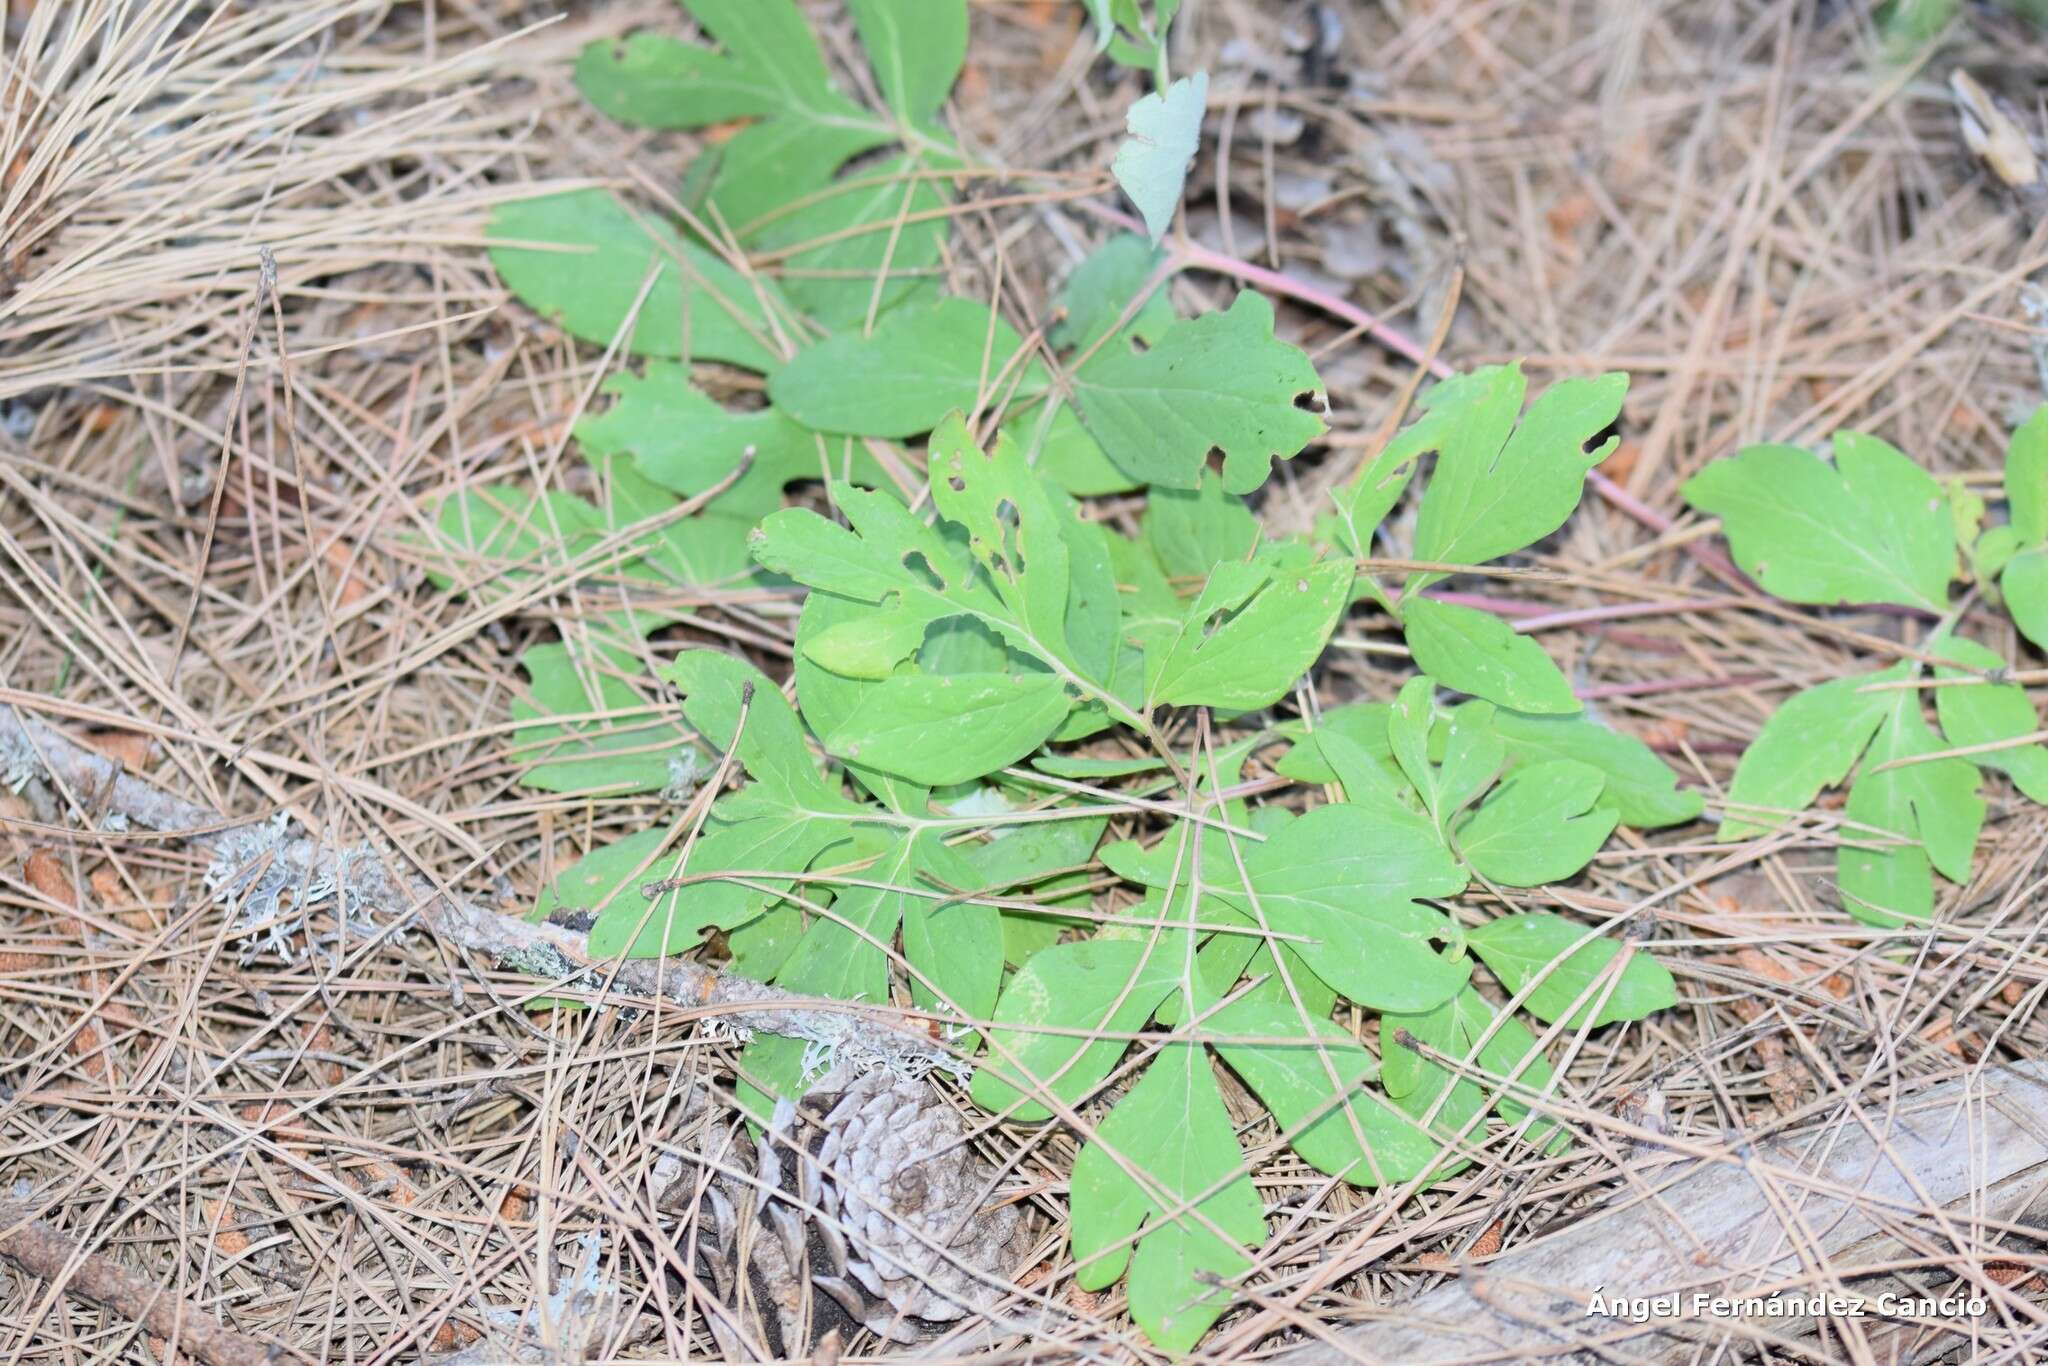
pixel 865 1207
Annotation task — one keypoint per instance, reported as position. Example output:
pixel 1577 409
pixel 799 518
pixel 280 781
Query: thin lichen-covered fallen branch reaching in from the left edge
pixel 560 955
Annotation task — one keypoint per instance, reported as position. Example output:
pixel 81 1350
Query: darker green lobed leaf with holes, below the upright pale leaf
pixel 1220 382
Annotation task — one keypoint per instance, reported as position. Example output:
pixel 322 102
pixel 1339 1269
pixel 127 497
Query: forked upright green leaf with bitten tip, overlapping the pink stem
pixel 1494 490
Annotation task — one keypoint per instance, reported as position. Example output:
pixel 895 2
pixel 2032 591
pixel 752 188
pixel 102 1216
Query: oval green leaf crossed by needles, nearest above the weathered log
pixel 1523 949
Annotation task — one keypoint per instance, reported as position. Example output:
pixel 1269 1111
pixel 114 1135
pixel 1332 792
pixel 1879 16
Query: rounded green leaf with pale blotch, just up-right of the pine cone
pixel 1066 1019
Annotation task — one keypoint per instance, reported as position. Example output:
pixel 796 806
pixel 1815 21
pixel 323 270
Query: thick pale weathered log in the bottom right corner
pixel 1844 1209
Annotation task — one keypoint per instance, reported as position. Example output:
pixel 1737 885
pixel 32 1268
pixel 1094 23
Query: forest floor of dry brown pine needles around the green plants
pixel 220 466
